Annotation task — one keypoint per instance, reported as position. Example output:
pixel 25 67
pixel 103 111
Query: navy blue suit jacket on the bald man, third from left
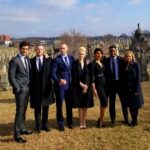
pixel 61 71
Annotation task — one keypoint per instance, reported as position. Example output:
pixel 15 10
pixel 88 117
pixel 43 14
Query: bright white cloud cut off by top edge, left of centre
pixel 60 4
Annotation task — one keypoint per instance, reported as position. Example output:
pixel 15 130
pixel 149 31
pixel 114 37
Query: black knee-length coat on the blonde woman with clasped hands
pixel 80 99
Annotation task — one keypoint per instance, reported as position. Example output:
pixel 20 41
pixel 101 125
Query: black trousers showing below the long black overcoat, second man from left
pixel 41 116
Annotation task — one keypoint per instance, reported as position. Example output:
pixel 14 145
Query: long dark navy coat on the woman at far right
pixel 133 85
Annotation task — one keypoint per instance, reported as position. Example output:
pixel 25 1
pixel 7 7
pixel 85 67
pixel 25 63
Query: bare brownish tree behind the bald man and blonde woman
pixel 74 40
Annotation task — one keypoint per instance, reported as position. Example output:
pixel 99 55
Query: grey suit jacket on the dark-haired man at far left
pixel 18 75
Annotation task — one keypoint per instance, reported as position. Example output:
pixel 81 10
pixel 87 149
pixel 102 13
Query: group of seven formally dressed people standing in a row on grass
pixel 74 81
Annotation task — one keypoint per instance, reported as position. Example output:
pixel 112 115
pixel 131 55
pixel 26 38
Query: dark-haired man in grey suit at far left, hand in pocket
pixel 19 78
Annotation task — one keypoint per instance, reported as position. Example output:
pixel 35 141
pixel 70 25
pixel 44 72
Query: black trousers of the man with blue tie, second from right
pixel 117 88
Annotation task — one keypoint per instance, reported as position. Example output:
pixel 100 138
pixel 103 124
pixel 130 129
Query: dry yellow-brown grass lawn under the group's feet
pixel 120 137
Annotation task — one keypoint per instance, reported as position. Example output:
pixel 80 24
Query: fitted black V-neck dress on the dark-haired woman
pixel 99 80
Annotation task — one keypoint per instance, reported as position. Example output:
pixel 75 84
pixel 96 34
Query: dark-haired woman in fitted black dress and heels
pixel 99 84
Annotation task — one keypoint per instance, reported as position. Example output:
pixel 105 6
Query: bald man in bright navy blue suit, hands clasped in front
pixel 61 74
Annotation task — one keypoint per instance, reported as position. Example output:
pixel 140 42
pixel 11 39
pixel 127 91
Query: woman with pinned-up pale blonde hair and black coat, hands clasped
pixel 82 91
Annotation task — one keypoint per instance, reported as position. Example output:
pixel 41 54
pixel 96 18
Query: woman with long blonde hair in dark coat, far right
pixel 134 96
